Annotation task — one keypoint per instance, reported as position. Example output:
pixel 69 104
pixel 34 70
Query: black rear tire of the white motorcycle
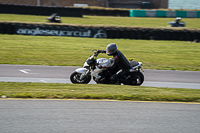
pixel 136 78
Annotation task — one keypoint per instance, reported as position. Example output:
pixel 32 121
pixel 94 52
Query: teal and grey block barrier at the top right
pixel 162 13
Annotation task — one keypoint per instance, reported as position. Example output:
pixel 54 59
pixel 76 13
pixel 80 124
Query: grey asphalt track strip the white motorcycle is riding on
pixel 61 74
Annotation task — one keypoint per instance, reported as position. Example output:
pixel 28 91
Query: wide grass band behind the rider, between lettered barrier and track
pixel 73 51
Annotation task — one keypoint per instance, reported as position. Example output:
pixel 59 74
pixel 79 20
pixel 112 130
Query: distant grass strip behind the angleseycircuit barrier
pixel 104 20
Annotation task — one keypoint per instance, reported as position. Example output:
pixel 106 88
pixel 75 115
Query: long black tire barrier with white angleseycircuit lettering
pixel 99 32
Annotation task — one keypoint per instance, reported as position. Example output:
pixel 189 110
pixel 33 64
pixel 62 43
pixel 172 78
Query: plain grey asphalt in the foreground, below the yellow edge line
pixel 80 116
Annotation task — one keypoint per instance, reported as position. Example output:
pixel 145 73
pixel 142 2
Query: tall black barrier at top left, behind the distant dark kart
pixel 41 10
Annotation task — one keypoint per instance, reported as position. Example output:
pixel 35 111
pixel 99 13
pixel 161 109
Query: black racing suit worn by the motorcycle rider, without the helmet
pixel 122 63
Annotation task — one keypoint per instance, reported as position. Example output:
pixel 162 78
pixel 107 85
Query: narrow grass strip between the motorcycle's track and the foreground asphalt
pixel 112 92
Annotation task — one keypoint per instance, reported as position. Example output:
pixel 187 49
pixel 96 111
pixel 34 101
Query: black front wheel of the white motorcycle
pixel 75 78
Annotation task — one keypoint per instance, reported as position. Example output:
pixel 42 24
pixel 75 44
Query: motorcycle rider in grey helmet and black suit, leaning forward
pixel 120 61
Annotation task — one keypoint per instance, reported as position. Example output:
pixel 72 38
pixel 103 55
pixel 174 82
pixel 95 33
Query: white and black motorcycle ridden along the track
pixel 102 76
